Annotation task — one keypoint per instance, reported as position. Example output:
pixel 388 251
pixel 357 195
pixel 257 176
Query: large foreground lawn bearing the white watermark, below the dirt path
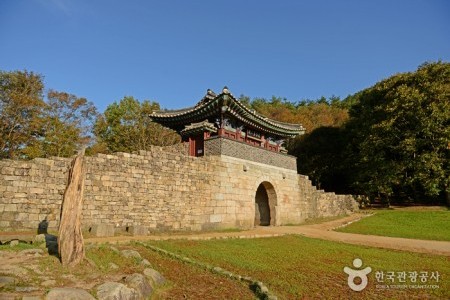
pixel 296 267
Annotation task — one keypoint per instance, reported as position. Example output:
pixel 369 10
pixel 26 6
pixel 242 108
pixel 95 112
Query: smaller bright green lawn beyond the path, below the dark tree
pixel 425 225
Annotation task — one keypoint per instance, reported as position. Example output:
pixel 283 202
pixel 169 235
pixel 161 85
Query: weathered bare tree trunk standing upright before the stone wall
pixel 70 238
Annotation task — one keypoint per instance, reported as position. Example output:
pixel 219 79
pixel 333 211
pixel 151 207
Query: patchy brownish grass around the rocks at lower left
pixel 184 281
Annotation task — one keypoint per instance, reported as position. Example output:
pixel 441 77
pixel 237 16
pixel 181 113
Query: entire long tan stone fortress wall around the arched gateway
pixel 162 191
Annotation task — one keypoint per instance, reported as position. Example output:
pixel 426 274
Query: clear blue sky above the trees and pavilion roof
pixel 172 51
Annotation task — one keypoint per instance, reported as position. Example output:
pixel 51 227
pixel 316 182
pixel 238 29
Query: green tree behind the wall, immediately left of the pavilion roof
pixel 126 127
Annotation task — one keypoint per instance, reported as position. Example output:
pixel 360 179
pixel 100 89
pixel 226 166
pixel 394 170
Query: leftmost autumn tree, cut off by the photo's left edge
pixel 21 103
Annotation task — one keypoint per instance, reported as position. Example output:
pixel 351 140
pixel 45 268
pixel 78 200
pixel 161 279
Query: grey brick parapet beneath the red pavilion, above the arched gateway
pixel 228 147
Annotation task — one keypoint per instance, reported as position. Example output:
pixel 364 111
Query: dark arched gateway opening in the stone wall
pixel 265 202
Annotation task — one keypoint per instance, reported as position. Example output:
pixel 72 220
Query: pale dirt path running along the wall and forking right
pixel 320 231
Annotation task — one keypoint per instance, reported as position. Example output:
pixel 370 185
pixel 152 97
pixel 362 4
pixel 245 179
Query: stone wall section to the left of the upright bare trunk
pixel 31 191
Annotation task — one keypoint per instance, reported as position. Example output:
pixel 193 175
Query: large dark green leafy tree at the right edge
pixel 400 131
